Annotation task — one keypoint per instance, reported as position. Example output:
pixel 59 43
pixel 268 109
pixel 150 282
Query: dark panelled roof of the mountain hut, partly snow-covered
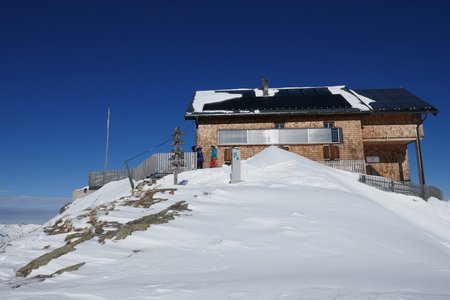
pixel 313 101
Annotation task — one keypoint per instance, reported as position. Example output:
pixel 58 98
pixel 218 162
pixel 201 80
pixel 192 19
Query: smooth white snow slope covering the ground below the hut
pixel 293 229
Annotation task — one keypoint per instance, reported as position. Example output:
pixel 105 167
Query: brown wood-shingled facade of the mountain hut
pixel 385 136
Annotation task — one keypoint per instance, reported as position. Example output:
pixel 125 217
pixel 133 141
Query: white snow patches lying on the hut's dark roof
pixel 213 96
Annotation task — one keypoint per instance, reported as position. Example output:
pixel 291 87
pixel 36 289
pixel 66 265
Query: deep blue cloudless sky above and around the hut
pixel 62 63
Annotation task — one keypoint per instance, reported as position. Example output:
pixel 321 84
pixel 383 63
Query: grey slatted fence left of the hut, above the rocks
pixel 156 165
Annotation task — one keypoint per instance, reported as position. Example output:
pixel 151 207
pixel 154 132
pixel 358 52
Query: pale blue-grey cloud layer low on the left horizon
pixel 29 210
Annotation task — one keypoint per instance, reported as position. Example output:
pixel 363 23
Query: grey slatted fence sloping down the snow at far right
pixel 402 187
